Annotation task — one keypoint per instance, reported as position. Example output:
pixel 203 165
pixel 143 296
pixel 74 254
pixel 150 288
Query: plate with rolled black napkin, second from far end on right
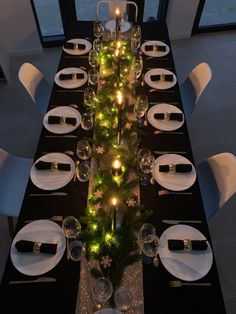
pixel 160 79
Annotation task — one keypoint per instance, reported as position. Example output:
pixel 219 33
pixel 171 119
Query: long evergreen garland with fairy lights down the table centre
pixel 114 215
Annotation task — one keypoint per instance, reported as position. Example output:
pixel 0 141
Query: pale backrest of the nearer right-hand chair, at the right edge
pixel 223 167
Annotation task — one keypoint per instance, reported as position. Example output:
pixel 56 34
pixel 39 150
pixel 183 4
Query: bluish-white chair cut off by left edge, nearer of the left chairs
pixel 14 175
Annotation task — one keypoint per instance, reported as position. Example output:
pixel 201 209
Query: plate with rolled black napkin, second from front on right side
pixel 174 172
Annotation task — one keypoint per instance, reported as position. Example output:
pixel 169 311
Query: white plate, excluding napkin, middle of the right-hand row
pixel 164 125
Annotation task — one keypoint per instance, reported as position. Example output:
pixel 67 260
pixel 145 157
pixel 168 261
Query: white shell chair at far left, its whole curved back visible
pixel 36 85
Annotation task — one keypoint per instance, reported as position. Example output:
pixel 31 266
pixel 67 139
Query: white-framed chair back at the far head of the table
pixel 113 5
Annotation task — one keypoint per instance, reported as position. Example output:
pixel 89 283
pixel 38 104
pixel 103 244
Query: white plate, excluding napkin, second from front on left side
pixel 52 179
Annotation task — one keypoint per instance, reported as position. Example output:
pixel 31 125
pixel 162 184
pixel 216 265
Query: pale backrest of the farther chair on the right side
pixel 200 76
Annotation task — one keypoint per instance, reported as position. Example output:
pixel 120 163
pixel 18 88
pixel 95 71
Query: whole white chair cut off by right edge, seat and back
pixel 217 180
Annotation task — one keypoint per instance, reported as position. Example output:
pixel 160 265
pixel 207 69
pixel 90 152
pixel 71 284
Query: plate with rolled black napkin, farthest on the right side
pixel 155 48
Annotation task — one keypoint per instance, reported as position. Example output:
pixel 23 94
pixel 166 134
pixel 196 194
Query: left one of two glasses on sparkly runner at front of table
pixel 102 290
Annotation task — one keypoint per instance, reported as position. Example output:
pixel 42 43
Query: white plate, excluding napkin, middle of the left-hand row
pixel 65 111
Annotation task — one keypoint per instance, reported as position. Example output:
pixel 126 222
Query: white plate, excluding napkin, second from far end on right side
pixel 159 84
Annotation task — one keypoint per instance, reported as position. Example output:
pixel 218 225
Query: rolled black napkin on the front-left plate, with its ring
pixel 26 246
